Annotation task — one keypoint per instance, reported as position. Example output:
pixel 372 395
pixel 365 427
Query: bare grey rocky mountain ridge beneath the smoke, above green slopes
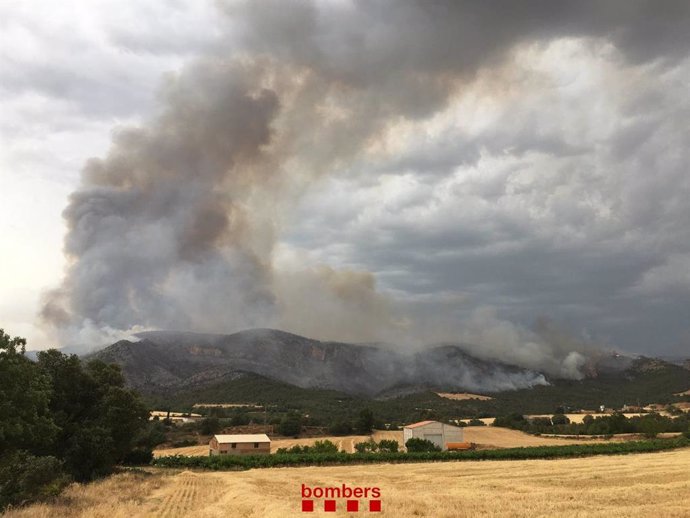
pixel 165 361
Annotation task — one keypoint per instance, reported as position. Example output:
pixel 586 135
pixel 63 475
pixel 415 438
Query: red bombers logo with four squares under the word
pixel 330 498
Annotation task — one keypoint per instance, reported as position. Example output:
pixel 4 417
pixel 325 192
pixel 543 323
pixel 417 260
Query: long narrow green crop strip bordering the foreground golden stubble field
pixel 230 462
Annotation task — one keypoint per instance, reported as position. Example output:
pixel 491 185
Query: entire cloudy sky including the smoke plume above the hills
pixel 511 176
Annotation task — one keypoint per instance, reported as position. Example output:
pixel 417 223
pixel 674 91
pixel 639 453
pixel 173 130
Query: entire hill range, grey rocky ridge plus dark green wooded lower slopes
pixel 330 380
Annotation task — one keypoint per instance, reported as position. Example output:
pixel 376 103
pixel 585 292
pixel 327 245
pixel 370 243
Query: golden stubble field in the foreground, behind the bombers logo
pixel 655 484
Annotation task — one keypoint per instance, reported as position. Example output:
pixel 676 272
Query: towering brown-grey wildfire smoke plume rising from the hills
pixel 177 226
